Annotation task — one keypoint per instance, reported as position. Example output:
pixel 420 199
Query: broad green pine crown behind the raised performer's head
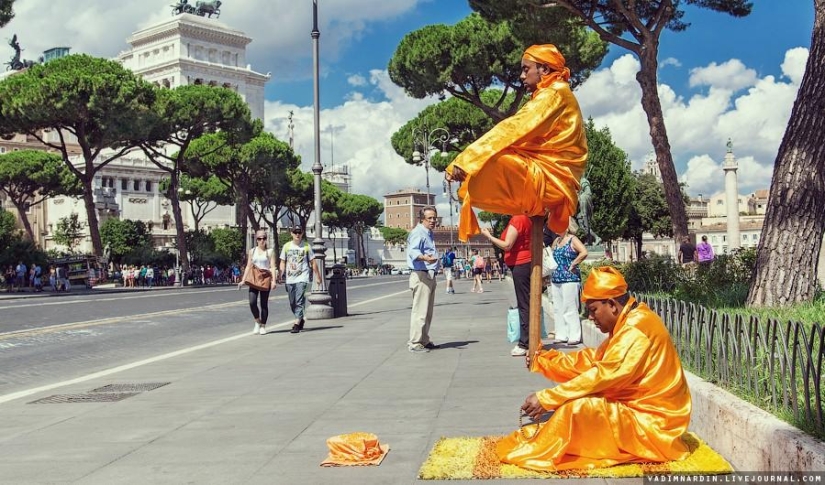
pixel 473 55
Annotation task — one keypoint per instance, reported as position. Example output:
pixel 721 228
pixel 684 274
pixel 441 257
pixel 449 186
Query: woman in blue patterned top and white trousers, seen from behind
pixel 568 251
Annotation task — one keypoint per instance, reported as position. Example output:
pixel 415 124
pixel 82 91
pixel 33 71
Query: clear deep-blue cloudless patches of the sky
pixel 759 40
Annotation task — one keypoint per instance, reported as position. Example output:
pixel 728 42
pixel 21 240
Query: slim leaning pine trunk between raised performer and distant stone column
pixel 658 136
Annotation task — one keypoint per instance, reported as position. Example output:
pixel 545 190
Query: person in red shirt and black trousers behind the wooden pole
pixel 515 241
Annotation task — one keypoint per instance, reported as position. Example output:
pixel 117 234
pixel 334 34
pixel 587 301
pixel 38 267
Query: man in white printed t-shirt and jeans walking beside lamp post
pixel 296 260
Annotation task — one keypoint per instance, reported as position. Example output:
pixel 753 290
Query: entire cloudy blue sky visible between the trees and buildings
pixel 721 78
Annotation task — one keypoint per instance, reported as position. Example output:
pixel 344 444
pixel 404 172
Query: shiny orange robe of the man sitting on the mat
pixel 626 401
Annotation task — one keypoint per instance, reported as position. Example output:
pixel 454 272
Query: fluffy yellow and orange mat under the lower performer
pixel 475 458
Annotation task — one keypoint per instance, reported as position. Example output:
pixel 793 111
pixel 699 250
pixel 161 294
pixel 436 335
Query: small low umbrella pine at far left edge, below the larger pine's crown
pixel 29 177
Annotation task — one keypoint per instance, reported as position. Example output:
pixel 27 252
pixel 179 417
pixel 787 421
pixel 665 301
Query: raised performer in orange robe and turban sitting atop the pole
pixel 529 163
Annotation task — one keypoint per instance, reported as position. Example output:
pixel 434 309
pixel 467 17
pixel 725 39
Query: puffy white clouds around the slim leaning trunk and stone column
pixel 698 126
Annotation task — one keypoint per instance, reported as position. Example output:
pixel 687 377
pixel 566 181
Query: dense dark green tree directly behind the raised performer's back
pixel 612 184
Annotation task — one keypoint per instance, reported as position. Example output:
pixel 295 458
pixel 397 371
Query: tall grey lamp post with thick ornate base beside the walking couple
pixel 320 302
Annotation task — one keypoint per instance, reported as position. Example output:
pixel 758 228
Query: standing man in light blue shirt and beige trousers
pixel 422 259
